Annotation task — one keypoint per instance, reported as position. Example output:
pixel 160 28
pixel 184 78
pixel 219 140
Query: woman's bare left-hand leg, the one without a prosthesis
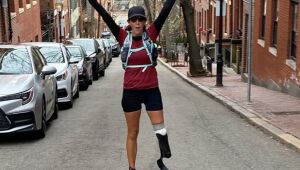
pixel 133 121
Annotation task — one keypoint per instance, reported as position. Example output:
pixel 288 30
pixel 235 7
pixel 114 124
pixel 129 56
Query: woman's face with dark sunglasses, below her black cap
pixel 137 25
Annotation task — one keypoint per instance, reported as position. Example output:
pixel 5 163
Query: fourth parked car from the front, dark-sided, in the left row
pixel 97 56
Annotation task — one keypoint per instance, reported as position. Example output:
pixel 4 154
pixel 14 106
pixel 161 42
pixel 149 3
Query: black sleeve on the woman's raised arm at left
pixel 114 28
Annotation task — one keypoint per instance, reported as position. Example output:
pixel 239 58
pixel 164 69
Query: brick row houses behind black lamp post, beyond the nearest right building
pixel 206 24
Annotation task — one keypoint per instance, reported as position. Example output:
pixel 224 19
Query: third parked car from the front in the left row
pixel 83 62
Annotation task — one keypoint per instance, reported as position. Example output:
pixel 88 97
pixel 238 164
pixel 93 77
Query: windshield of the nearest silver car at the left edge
pixel 15 61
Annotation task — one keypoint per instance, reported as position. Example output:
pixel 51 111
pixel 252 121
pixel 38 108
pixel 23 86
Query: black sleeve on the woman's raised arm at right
pixel 163 15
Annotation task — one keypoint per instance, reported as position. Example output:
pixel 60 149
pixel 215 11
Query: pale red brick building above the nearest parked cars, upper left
pixel 25 20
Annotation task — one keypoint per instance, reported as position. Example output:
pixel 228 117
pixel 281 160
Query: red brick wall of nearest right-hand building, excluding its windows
pixel 271 69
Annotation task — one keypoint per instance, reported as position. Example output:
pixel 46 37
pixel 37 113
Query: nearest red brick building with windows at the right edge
pixel 276 50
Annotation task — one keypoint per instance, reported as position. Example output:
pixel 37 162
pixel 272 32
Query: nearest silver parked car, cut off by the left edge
pixel 28 90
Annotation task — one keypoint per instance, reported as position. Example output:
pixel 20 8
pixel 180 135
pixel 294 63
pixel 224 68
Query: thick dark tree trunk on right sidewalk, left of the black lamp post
pixel 196 68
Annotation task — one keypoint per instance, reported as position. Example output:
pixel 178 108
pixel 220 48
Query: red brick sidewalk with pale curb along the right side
pixel 274 112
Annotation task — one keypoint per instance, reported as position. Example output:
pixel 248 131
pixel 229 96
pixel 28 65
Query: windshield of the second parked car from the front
pixel 52 54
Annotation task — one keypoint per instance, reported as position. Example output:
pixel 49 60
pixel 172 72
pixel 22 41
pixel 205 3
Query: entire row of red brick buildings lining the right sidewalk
pixel 275 49
